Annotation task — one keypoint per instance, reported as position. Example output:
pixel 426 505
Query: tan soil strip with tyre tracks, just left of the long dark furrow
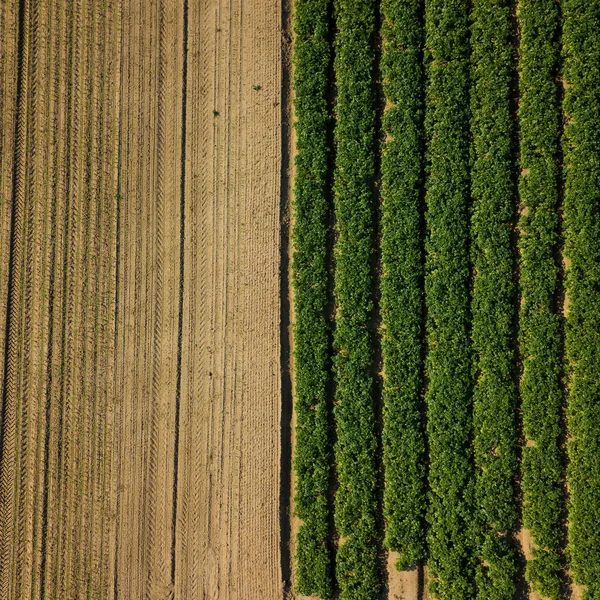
pixel 151 295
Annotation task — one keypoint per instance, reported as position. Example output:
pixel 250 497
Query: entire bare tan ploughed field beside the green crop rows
pixel 139 299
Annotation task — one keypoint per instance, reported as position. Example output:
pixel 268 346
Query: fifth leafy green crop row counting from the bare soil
pixel 494 392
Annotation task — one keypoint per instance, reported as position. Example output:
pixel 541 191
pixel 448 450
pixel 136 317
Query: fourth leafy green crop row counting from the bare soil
pixel 448 363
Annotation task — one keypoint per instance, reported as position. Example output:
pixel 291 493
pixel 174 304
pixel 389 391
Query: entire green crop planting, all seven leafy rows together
pixel 470 347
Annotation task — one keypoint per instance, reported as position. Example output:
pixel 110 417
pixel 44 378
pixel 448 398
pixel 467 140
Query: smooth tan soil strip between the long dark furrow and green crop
pixel 233 96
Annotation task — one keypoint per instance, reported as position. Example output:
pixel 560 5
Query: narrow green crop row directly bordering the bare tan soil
pixel 312 55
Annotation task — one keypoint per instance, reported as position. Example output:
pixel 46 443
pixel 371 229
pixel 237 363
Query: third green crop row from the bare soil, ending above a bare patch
pixel 401 279
